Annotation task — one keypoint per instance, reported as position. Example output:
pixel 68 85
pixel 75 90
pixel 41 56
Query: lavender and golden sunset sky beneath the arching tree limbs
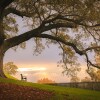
pixel 37 67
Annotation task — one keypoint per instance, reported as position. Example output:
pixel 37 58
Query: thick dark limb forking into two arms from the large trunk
pixel 37 33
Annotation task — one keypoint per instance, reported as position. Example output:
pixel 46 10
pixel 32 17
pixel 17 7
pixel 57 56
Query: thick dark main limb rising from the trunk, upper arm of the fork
pixel 34 33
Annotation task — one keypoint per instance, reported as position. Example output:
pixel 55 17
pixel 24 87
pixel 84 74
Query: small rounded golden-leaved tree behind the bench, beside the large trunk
pixel 10 68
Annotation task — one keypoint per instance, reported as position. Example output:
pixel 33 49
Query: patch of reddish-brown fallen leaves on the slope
pixel 23 92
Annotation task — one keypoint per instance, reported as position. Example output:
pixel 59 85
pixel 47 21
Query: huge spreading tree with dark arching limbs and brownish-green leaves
pixel 73 25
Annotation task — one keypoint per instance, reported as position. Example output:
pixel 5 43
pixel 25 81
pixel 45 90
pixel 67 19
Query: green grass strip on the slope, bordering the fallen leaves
pixel 61 93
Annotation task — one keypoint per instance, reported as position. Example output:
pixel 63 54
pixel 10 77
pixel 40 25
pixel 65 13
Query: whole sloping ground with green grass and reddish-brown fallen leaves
pixel 19 90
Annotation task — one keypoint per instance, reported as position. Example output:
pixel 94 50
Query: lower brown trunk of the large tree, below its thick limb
pixel 1 63
